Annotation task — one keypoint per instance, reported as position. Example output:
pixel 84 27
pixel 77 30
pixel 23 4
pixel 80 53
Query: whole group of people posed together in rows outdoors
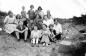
pixel 33 25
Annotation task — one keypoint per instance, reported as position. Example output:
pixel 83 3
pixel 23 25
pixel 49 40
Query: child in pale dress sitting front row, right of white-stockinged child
pixel 45 35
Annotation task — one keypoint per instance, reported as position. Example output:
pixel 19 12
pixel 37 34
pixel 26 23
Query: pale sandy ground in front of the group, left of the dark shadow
pixel 10 47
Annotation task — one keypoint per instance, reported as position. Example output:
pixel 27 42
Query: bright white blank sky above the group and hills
pixel 58 8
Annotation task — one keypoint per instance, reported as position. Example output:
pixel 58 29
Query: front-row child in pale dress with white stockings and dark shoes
pixel 35 35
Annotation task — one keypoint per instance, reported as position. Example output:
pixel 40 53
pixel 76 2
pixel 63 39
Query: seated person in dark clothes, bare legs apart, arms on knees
pixel 21 31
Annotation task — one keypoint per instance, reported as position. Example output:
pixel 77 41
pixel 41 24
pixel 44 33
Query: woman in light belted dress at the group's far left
pixel 10 23
